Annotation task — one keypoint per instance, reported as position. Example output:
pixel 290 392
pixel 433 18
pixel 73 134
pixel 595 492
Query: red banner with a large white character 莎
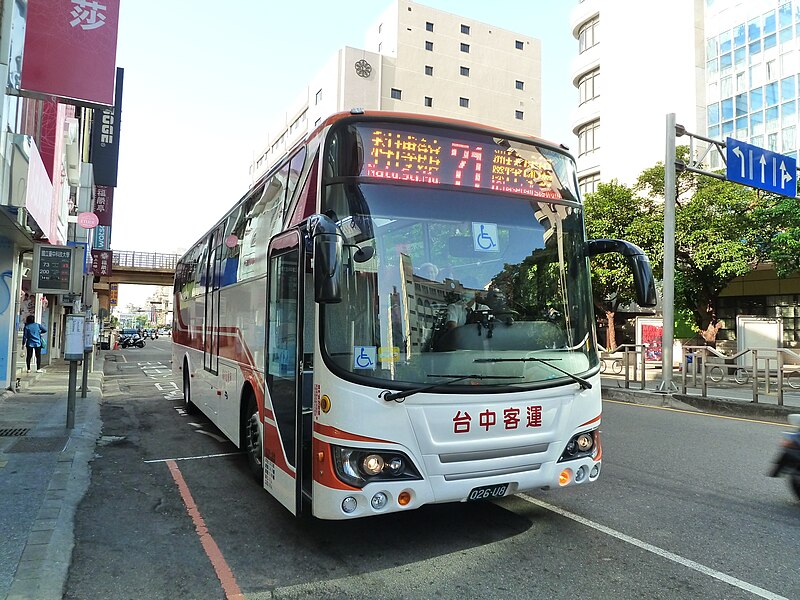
pixel 70 51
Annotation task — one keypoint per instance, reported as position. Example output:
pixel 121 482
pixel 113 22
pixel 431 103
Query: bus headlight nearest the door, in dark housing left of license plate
pixel 360 466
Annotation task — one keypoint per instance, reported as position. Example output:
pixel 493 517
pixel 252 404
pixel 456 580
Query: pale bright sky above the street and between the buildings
pixel 205 80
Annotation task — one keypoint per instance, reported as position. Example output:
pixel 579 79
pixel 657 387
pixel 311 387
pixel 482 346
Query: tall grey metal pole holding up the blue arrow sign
pixel 668 298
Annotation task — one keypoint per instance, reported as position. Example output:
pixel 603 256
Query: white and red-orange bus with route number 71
pixel 400 313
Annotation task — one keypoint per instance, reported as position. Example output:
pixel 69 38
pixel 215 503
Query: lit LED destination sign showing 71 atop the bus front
pixel 431 156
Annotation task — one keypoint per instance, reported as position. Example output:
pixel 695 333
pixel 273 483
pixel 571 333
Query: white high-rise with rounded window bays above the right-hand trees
pixel 634 66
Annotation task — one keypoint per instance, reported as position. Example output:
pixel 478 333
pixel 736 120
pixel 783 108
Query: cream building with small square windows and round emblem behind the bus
pixel 421 60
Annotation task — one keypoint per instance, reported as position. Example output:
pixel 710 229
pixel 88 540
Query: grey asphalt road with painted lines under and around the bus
pixel 683 509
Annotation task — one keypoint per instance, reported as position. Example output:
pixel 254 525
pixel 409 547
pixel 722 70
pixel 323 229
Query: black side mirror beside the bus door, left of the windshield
pixel 328 244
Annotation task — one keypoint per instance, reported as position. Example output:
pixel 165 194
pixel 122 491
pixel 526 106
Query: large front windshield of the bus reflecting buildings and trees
pixel 463 281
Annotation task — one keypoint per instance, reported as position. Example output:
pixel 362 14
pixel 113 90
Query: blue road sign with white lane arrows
pixel 761 168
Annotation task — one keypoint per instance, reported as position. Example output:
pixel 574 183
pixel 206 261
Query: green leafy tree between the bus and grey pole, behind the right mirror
pixel 614 211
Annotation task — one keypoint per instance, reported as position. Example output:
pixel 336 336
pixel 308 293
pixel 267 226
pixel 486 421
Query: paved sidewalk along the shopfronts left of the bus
pixel 44 473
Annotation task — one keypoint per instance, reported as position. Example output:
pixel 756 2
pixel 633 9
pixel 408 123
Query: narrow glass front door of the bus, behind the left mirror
pixel 284 372
